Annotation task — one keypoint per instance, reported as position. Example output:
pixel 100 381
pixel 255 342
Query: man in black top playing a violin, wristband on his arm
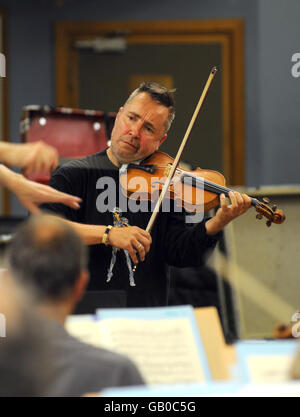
pixel 115 237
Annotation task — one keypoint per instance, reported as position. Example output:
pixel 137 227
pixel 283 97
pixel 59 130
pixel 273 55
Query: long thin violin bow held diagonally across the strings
pixel 180 151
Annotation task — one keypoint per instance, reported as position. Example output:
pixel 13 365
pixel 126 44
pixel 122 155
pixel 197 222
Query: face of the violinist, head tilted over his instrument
pixel 139 129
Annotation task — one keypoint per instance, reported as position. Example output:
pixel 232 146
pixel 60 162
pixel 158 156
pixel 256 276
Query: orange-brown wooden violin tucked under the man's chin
pixel 195 191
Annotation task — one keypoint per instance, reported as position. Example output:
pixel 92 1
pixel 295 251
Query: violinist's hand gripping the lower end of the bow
pixel 133 239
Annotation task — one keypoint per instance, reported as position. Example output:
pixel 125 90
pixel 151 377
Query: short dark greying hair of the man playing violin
pixel 159 94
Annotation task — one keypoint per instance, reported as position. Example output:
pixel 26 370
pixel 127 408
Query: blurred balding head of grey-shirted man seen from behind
pixel 47 256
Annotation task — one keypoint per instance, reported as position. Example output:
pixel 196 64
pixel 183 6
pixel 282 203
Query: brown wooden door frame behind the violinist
pixel 228 32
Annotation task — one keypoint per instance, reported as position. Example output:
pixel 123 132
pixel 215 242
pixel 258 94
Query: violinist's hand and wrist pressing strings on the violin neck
pixel 239 204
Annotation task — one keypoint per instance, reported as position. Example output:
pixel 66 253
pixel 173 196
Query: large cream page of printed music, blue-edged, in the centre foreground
pixel 164 350
